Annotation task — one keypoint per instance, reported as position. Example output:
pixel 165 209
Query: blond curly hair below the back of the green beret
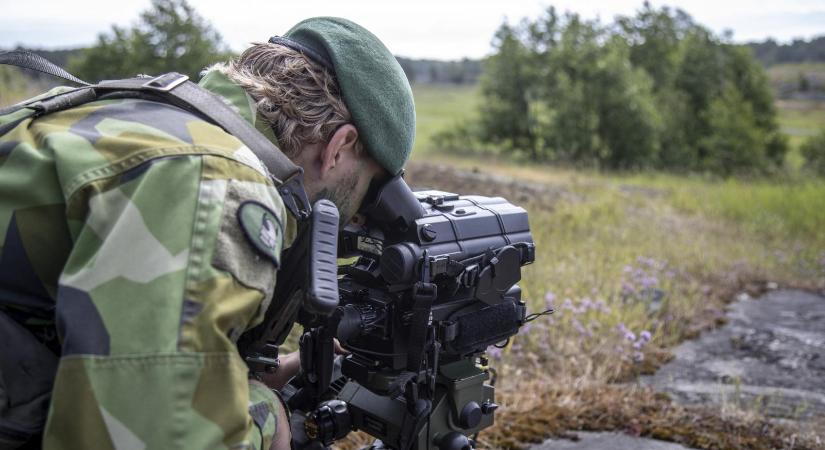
pixel 298 98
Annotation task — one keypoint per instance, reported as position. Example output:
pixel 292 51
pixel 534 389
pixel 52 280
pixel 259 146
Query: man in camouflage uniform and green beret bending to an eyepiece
pixel 140 241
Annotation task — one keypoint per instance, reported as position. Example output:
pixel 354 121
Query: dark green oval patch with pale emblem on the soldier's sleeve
pixel 263 229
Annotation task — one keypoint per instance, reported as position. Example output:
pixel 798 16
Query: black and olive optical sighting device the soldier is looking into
pixel 433 285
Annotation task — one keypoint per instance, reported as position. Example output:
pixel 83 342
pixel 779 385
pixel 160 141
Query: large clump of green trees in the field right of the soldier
pixel 654 90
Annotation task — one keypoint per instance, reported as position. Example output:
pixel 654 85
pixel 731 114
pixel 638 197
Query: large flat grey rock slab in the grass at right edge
pixel 770 355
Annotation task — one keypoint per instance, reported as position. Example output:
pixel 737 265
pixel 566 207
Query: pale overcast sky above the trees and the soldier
pixel 441 29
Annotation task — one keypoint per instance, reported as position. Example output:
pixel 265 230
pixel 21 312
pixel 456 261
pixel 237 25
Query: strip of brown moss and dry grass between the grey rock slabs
pixel 544 407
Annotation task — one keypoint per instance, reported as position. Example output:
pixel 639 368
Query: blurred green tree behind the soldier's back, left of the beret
pixel 169 36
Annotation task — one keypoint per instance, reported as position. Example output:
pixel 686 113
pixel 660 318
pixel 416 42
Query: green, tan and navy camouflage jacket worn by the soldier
pixel 122 221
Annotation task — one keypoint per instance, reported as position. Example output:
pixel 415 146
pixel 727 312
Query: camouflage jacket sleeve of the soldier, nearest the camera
pixel 161 281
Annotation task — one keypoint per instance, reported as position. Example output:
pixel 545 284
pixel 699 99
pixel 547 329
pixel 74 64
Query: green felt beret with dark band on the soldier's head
pixel 373 85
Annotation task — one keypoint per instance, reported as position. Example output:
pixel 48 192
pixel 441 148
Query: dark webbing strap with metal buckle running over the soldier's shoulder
pixel 175 89
